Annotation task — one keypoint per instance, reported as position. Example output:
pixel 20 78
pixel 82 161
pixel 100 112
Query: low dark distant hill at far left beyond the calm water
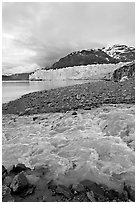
pixel 21 76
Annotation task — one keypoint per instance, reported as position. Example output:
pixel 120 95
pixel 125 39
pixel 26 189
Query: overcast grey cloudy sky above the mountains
pixel 38 34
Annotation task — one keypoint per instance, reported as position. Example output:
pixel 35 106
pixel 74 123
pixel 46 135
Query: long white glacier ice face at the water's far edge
pixel 97 71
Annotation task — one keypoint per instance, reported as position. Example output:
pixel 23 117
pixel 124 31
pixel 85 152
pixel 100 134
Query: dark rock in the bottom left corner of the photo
pixel 6 194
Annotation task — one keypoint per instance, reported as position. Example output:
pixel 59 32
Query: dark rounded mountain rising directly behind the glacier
pixel 84 57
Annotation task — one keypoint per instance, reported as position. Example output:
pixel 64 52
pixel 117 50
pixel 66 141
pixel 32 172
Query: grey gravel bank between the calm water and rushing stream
pixel 79 96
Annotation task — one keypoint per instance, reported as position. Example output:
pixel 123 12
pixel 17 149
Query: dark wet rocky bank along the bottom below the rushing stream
pixel 22 184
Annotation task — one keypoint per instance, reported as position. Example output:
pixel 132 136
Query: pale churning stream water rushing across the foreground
pixel 97 144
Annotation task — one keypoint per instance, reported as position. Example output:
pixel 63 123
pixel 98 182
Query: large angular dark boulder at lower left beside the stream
pixel 19 182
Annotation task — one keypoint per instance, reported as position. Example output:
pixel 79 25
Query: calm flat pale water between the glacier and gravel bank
pixel 12 90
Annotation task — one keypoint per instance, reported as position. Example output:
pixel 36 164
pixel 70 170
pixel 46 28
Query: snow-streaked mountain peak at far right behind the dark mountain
pixel 122 53
